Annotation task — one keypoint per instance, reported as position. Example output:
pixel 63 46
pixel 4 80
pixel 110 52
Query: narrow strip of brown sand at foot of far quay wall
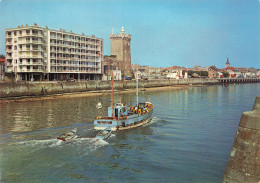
pixel 93 93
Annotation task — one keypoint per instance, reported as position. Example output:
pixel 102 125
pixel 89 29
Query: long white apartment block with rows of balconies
pixel 35 54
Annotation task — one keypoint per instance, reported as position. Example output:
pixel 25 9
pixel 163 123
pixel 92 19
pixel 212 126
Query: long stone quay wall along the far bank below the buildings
pixel 48 88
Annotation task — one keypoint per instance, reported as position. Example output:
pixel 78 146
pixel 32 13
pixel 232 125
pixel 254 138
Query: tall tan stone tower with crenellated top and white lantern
pixel 120 47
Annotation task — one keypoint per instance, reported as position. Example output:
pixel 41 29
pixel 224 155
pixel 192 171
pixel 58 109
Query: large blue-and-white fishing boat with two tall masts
pixel 122 117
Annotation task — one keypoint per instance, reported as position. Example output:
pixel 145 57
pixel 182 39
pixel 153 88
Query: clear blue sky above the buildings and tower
pixel 164 32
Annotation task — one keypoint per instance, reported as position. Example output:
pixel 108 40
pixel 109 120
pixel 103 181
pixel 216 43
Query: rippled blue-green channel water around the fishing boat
pixel 188 140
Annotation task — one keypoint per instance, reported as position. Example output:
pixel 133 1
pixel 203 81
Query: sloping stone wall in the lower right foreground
pixel 244 161
